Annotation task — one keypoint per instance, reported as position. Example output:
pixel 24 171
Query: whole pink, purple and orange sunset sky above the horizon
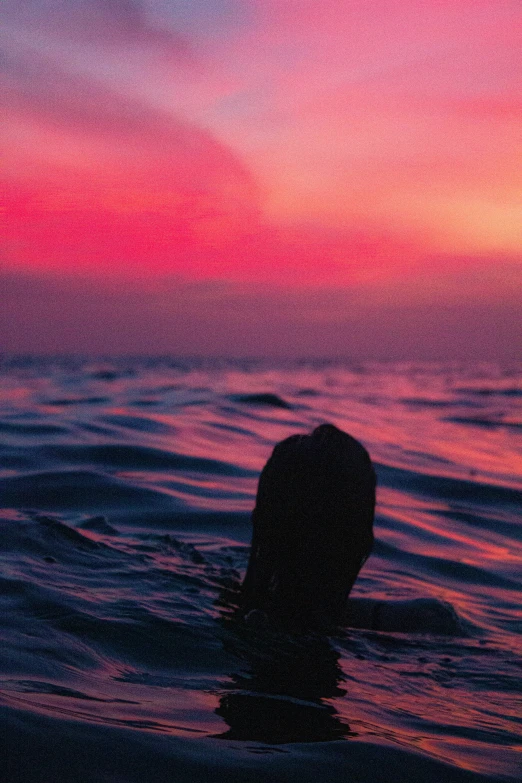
pixel 262 177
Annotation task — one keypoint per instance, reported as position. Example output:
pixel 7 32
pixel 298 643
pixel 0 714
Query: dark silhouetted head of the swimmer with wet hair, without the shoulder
pixel 312 528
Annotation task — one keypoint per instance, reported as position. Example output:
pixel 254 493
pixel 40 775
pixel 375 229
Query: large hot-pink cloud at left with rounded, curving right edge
pixel 99 179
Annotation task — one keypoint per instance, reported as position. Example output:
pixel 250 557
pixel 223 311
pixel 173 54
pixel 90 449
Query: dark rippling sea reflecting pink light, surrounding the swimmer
pixel 126 488
